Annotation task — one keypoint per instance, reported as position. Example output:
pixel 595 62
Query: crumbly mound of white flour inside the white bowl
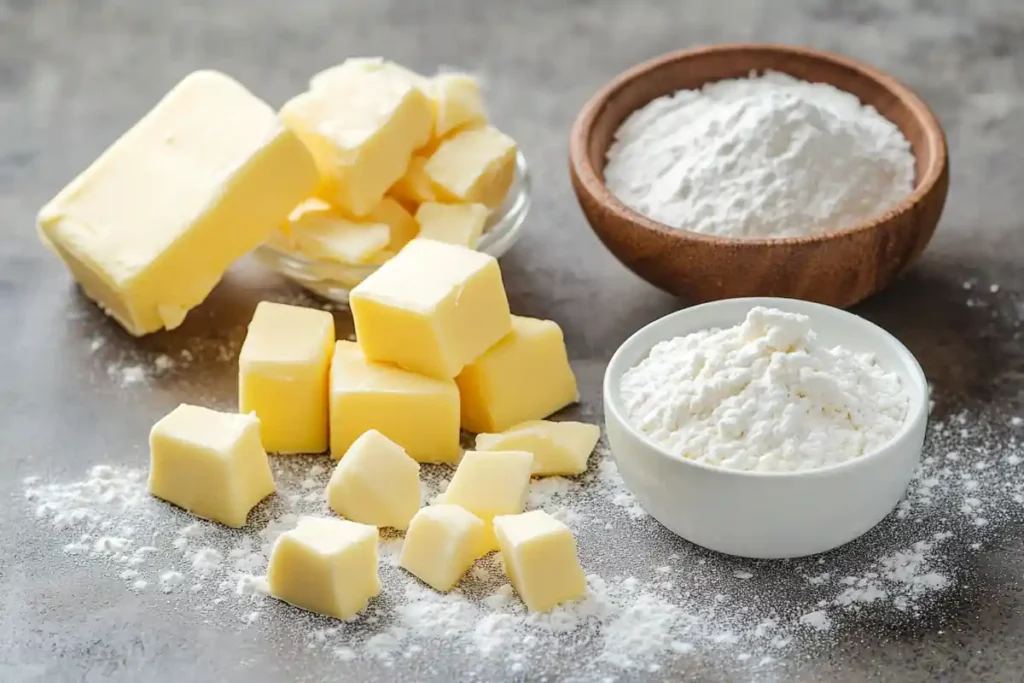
pixel 765 396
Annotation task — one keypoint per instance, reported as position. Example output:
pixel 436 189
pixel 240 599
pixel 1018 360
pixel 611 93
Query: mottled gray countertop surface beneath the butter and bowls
pixel 73 76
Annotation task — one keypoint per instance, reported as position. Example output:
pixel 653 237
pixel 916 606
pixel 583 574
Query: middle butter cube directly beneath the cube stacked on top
pixel 420 414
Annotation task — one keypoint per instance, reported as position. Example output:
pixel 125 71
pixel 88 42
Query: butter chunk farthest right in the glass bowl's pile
pixel 474 166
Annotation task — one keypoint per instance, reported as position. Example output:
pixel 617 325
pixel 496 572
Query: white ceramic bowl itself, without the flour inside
pixel 769 516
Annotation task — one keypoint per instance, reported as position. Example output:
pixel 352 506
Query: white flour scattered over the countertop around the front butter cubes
pixel 653 600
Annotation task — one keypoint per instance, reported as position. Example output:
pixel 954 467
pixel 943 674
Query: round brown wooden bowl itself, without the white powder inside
pixel 838 269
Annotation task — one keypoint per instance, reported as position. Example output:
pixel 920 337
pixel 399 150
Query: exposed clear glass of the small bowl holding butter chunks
pixel 334 281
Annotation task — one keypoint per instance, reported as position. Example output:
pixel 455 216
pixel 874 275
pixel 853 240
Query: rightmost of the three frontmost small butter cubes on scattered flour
pixel 540 558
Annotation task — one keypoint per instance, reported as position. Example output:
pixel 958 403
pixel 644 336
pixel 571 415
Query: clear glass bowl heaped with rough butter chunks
pixel 400 156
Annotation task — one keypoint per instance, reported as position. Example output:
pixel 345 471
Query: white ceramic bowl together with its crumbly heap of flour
pixel 766 428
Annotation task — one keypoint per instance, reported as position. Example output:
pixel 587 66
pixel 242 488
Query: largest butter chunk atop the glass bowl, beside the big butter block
pixel 362 129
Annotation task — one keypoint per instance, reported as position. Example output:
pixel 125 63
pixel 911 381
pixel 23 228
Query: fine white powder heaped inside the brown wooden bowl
pixel 762 157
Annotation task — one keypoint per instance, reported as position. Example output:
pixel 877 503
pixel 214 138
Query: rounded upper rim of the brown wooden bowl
pixel 593 184
